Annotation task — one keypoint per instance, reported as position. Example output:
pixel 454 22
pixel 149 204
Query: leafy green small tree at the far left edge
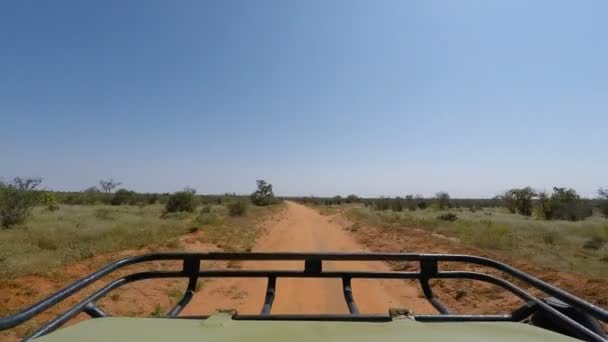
pixel 17 200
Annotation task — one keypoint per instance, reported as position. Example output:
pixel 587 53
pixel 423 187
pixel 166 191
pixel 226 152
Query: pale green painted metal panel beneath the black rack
pixel 221 327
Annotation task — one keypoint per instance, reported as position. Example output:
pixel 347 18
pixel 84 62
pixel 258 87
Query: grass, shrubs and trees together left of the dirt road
pixel 42 230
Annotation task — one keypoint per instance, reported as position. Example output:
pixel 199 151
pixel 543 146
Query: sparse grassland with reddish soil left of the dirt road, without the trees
pixel 75 232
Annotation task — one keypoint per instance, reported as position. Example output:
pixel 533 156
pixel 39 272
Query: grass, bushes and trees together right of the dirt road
pixel 559 230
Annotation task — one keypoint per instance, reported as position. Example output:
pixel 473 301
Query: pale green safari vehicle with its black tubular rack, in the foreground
pixel 559 317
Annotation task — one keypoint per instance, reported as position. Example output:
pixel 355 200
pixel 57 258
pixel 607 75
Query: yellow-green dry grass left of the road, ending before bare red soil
pixel 76 232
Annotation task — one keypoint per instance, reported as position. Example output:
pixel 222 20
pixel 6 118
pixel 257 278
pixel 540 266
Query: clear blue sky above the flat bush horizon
pixel 318 97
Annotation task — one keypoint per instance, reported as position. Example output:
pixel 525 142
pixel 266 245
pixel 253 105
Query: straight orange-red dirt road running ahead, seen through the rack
pixel 302 229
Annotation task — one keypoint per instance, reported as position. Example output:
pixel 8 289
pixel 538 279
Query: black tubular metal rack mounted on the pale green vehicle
pixel 313 268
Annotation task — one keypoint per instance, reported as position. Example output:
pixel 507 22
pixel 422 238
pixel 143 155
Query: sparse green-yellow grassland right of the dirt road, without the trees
pixel 580 247
